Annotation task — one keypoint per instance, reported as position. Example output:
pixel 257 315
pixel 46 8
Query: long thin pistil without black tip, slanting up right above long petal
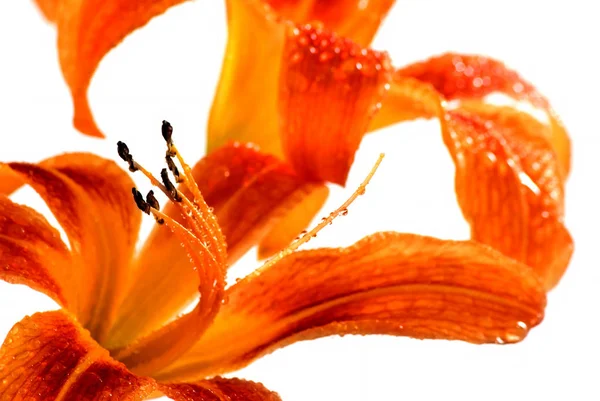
pixel 342 210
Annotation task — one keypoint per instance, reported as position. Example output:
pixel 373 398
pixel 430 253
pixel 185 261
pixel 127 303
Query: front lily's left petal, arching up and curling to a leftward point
pixel 91 199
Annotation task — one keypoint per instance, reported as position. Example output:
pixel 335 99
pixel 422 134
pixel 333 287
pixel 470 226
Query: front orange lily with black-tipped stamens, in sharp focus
pixel 119 334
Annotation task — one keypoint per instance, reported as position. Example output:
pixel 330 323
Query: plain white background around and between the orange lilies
pixel 168 70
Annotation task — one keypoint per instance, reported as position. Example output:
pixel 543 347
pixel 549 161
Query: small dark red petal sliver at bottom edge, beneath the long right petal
pixel 219 389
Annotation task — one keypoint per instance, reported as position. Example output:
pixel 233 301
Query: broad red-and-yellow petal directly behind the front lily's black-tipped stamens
pixel 250 192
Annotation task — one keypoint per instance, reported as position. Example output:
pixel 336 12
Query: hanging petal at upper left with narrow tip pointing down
pixel 87 31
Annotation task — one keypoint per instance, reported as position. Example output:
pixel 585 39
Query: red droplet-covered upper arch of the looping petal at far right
pixel 463 77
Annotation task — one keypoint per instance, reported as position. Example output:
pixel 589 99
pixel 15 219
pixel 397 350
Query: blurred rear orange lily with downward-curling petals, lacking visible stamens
pixel 308 95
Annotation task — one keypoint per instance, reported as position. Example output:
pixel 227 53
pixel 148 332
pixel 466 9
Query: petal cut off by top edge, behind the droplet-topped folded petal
pixel 354 19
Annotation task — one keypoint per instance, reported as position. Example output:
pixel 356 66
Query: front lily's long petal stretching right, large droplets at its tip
pixel 388 283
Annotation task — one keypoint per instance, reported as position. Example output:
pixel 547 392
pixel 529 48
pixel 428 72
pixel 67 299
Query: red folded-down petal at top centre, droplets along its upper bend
pixel 330 90
